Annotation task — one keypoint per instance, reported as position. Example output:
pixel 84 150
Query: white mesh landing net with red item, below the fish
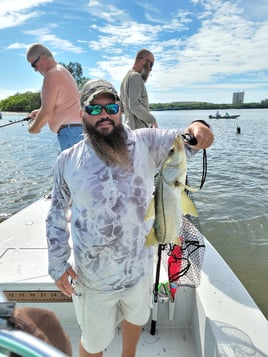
pixel 183 264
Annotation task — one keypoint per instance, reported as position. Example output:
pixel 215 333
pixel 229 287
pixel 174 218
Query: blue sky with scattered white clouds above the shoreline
pixel 204 49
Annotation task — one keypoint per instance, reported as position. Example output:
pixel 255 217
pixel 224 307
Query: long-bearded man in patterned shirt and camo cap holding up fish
pixel 110 178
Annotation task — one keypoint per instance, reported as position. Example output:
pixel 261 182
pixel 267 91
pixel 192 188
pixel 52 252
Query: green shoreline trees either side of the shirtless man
pixel 28 101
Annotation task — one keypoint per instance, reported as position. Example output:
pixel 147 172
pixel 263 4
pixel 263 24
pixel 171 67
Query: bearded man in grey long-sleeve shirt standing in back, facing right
pixel 133 93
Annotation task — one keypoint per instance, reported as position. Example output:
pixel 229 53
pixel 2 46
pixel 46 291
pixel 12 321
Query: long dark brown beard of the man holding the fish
pixel 110 147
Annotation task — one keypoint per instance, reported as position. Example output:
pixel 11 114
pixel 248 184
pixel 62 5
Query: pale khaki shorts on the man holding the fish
pixel 99 313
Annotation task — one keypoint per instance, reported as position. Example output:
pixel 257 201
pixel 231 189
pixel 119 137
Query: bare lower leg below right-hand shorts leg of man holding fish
pixel 130 336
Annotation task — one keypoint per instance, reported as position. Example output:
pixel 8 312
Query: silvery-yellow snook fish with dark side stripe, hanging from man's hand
pixel 170 200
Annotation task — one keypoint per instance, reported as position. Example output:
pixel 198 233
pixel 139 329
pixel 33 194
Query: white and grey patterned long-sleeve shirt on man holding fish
pixel 108 207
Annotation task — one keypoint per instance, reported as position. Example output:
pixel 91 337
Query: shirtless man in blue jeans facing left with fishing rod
pixel 60 99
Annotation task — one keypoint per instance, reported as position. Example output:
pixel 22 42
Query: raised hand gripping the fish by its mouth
pixel 202 133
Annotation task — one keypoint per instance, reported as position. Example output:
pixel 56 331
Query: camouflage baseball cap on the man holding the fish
pixel 95 87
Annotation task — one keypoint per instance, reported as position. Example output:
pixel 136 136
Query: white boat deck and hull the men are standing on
pixel 219 318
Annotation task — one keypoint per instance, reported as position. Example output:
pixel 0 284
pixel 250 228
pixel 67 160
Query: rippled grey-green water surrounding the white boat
pixel 233 204
